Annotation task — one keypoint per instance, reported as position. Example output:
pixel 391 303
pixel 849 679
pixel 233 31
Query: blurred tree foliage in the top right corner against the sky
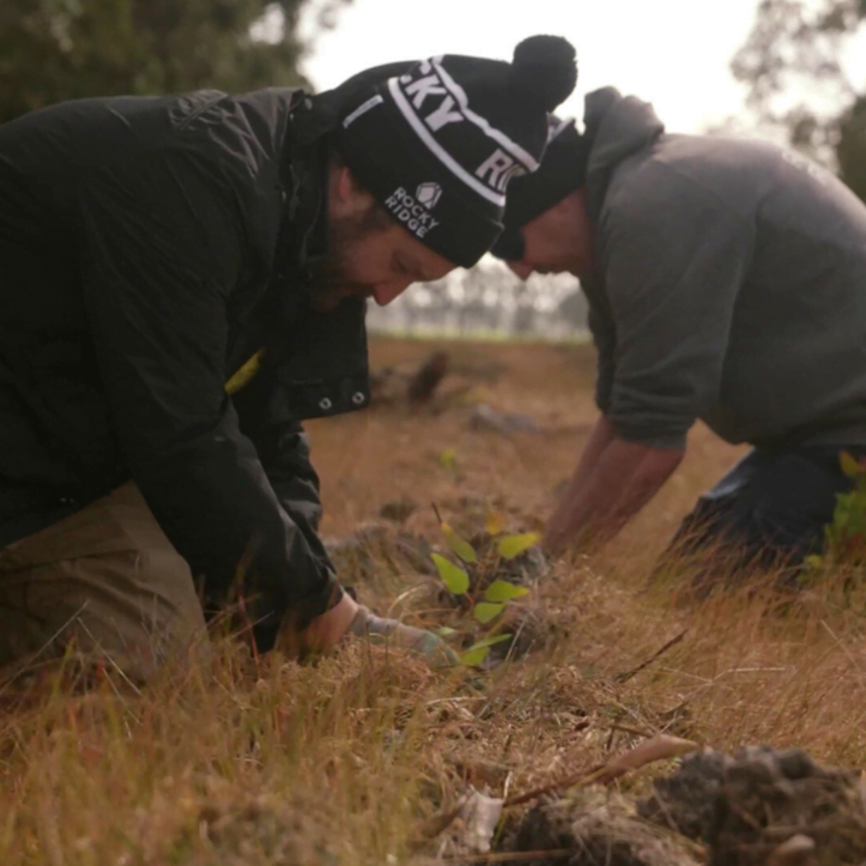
pixel 796 64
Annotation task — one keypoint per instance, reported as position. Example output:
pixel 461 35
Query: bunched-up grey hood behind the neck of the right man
pixel 617 127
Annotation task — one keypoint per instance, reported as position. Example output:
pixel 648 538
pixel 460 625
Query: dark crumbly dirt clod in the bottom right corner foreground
pixel 747 805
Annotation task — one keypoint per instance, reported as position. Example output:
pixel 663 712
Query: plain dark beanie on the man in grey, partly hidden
pixel 562 171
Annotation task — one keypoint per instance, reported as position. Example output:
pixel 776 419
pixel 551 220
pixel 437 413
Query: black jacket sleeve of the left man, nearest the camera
pixel 163 249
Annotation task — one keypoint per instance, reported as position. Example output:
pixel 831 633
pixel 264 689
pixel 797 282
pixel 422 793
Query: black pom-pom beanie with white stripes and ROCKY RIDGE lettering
pixel 438 144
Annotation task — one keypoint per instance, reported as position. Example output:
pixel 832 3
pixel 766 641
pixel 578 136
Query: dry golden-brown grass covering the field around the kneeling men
pixel 341 762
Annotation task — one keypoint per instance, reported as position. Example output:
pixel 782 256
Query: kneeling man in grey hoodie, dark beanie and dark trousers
pixel 726 282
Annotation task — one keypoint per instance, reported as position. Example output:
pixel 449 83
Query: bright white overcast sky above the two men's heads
pixel 673 53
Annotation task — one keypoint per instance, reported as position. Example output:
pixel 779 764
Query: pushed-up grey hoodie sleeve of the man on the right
pixel 674 258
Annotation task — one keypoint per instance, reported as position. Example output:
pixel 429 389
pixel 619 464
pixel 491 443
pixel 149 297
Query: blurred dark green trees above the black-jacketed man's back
pixel 53 50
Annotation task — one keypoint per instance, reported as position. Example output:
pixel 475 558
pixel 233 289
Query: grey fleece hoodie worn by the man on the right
pixel 730 286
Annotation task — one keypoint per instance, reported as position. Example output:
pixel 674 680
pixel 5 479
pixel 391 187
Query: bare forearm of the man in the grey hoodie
pixel 611 484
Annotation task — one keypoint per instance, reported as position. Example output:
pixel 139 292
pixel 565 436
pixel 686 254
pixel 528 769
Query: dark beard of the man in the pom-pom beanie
pixel 330 281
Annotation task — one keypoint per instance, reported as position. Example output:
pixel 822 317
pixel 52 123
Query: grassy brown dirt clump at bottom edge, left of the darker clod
pixel 602 833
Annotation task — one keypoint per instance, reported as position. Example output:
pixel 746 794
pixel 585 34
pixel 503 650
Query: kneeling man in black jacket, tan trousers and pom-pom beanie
pixel 183 281
